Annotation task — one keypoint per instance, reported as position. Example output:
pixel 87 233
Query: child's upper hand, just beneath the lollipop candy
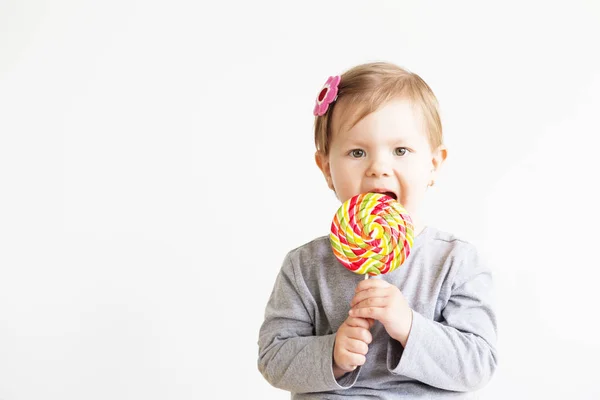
pixel 377 299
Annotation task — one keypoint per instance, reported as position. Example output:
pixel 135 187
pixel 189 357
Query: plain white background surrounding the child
pixel 156 164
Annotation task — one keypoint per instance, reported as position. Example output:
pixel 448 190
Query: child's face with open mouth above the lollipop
pixel 387 151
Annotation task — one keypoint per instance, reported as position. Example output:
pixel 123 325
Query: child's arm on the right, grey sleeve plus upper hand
pixel 457 353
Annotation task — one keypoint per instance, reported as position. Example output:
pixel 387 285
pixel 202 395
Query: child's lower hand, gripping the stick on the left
pixel 351 345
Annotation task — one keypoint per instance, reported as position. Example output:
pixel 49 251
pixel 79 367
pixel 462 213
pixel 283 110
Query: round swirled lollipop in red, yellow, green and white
pixel 371 234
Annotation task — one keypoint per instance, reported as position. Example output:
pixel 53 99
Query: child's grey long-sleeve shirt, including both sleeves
pixel 451 346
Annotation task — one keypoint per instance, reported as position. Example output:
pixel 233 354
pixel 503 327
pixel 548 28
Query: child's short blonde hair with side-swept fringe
pixel 367 87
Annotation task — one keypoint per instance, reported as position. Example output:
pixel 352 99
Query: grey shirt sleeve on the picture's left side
pixel 291 357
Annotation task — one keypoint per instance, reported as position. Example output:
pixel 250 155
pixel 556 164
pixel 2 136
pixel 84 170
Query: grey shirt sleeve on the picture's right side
pixel 457 353
